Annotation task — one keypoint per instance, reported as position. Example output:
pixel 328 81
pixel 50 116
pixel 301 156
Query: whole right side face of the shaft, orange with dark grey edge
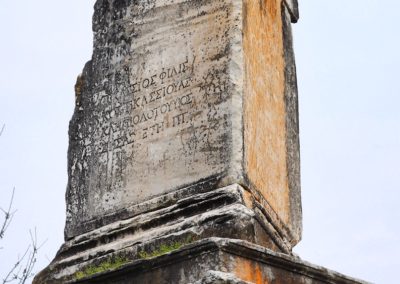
pixel 271 146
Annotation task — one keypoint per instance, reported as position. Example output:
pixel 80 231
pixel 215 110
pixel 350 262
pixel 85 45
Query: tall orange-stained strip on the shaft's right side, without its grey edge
pixel 264 104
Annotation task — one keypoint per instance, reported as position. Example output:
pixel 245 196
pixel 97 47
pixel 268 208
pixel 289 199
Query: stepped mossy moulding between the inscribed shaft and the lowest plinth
pixel 164 224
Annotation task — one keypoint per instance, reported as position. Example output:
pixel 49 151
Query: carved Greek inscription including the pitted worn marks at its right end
pixel 131 109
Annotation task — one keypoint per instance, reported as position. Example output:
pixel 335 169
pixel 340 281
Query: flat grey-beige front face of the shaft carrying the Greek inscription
pixel 155 112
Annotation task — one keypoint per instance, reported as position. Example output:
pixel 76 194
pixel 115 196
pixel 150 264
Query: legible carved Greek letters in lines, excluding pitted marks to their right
pixel 130 110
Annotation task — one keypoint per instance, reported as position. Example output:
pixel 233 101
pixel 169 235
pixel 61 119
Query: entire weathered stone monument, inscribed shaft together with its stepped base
pixel 183 161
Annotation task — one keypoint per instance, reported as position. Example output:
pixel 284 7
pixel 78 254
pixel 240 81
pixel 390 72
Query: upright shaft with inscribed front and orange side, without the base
pixel 185 94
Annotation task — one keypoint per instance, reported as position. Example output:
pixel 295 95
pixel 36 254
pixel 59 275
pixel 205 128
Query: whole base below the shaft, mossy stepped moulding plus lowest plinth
pixel 187 238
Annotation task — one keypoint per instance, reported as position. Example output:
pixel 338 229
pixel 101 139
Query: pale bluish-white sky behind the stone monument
pixel 348 58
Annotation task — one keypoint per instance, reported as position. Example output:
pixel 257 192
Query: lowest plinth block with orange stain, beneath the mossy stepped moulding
pixel 218 260
